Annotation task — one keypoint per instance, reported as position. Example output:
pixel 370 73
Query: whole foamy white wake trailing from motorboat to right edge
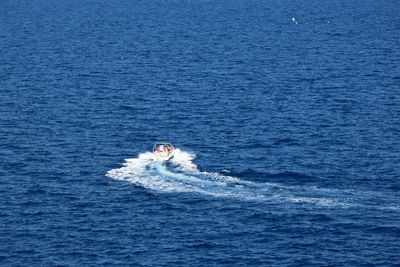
pixel 181 174
